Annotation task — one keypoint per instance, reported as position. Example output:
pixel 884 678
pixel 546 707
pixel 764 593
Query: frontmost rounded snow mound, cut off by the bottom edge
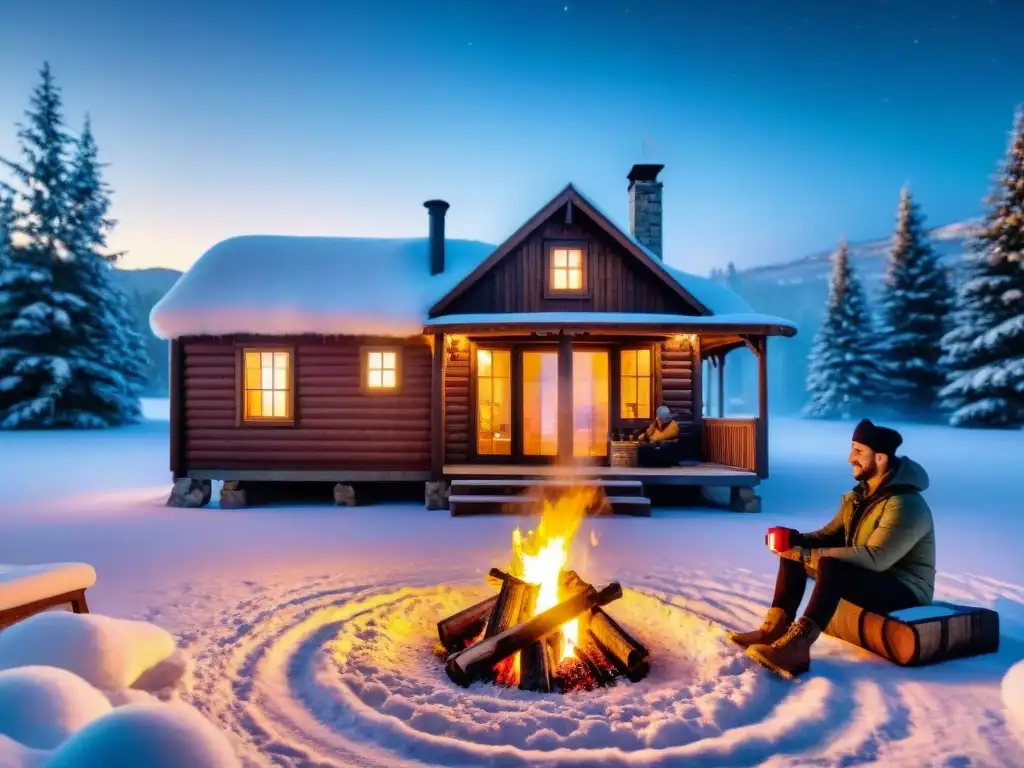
pixel 165 736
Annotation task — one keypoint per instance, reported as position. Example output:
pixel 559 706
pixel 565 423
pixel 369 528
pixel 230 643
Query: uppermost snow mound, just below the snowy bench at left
pixel 109 654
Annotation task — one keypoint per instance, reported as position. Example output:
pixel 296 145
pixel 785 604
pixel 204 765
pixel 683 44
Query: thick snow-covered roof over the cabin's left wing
pixel 280 286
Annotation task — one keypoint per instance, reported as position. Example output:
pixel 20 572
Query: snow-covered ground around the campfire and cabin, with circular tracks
pixel 313 628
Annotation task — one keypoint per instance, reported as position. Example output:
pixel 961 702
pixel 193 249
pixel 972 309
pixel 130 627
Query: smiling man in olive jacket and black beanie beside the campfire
pixel 878 552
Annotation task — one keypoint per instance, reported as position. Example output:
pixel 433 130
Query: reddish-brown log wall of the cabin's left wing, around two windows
pixel 336 426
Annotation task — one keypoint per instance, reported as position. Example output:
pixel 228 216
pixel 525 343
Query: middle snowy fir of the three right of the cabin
pixel 917 301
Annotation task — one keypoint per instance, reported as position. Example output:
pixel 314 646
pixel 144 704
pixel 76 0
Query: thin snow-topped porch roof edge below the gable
pixel 684 323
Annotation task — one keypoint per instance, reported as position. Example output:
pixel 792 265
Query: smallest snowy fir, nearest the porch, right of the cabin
pixel 843 378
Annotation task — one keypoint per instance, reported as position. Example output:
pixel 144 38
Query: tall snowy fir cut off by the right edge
pixel 986 351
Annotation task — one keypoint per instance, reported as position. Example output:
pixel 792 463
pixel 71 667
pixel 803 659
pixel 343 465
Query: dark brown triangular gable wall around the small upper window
pixel 617 281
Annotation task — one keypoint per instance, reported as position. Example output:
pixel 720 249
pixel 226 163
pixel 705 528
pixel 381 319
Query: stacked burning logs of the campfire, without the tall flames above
pixel 501 641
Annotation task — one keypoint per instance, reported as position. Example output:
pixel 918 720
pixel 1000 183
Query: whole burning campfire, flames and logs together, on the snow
pixel 546 630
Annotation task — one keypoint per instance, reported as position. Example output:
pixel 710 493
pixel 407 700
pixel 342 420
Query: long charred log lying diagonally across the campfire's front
pixel 464 666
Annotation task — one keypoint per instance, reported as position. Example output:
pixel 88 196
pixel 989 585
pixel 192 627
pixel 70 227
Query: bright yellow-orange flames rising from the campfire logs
pixel 543 554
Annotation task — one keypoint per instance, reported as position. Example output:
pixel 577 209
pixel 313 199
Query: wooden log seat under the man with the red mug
pixel 919 636
